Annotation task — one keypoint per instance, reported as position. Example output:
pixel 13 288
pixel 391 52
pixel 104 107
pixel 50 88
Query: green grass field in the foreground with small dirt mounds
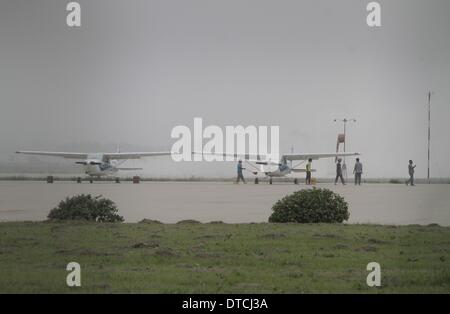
pixel 222 258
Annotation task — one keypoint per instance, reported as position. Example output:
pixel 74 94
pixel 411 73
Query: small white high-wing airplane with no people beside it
pixel 99 164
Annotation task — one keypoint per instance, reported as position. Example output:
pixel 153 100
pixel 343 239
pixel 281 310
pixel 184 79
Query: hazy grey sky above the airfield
pixel 135 69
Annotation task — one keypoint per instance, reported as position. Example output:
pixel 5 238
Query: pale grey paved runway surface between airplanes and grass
pixel 170 202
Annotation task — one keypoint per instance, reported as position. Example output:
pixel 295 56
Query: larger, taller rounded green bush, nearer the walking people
pixel 311 206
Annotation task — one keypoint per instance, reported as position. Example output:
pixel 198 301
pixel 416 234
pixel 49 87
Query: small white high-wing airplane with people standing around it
pixel 262 164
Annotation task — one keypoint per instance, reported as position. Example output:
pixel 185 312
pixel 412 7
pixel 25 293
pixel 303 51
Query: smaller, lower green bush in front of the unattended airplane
pixel 86 207
